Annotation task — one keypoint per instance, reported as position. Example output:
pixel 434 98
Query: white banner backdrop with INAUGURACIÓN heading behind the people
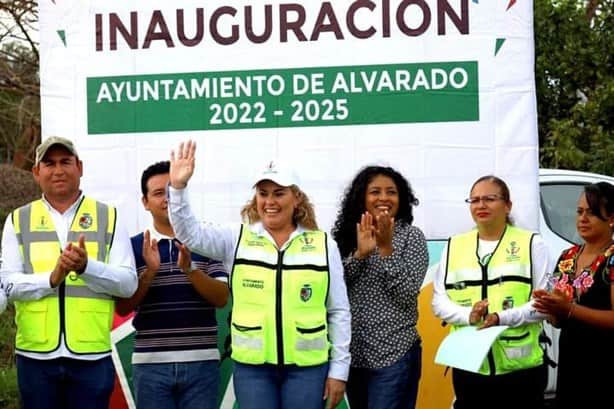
pixel 442 90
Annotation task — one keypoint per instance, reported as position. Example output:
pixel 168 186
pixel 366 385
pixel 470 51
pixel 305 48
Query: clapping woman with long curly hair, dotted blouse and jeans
pixel 385 261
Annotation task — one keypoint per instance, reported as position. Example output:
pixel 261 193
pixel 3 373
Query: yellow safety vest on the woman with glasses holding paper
pixel 506 281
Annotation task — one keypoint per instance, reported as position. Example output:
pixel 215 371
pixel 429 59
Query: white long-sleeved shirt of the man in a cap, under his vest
pixel 116 278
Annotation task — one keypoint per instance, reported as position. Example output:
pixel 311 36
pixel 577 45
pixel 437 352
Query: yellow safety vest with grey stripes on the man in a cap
pixel 82 315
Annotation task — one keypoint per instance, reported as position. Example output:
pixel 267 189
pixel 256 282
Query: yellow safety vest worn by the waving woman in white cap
pixel 279 300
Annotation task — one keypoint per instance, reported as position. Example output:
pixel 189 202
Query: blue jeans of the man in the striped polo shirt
pixel 181 385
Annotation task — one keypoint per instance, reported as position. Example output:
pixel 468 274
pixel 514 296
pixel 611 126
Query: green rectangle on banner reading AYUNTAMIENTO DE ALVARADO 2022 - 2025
pixel 324 96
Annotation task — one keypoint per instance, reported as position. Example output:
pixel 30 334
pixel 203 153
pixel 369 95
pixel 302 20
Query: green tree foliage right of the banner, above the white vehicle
pixel 574 47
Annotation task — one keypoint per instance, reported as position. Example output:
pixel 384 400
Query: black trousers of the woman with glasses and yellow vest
pixel 519 389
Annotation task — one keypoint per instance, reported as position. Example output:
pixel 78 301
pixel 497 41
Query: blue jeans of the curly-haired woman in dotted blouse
pixel 391 387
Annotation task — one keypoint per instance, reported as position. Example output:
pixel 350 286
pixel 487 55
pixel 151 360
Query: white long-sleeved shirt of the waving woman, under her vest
pixel 220 241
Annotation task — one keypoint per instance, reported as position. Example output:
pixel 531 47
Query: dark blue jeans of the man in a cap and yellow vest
pixel 65 383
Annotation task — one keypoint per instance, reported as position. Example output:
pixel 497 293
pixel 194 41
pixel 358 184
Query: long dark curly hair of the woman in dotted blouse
pixel 353 205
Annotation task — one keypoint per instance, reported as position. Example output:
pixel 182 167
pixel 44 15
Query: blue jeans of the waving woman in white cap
pixel 286 387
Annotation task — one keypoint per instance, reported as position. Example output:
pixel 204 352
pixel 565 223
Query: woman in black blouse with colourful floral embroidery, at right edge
pixel 581 303
